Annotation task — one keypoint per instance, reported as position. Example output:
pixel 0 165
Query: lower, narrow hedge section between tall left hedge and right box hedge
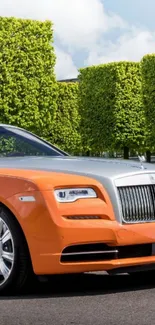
pixel 65 129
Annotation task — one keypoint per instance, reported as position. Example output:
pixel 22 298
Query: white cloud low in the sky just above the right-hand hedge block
pixel 132 46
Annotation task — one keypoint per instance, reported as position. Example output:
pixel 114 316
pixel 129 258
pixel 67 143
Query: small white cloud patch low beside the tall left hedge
pixel 65 67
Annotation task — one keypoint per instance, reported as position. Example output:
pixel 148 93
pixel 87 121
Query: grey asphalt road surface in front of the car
pixel 90 299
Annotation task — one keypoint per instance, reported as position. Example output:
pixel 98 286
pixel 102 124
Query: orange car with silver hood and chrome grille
pixel 63 214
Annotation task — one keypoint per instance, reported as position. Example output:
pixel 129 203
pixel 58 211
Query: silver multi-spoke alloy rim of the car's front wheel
pixel 6 252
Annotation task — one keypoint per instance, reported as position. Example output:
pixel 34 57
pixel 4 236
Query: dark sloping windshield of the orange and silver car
pixel 16 142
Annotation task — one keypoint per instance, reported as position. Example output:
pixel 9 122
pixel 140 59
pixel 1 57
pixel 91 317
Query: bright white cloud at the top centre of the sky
pixel 82 22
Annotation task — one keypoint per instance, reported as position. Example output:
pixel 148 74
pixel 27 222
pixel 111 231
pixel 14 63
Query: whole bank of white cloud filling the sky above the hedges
pixel 80 26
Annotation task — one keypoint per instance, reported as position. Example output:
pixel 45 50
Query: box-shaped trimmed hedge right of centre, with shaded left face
pixel 111 107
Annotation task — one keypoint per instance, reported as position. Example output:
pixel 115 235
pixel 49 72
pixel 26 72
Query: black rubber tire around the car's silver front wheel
pixel 21 268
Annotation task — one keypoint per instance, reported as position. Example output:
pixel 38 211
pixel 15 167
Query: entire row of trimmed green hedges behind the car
pixel 106 110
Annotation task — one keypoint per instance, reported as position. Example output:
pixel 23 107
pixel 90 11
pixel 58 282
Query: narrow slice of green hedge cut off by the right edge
pixel 148 87
